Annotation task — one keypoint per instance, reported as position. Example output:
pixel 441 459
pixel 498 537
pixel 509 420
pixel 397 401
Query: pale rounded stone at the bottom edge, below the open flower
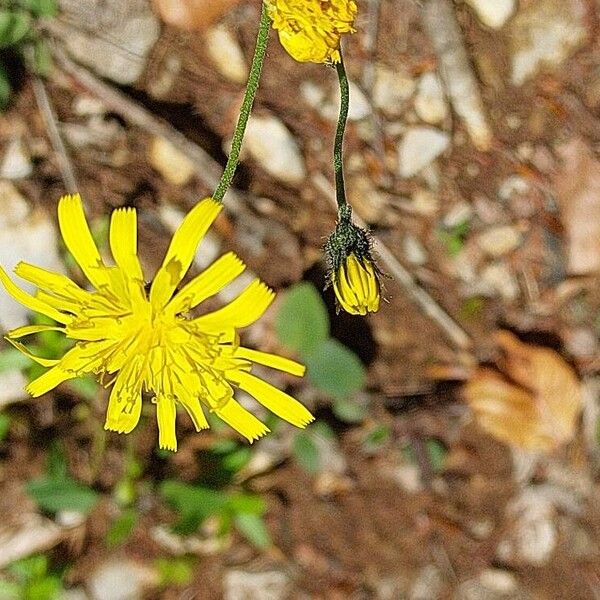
pixel 121 580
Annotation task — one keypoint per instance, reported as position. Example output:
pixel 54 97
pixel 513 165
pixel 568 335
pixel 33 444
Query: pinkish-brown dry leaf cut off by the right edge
pixel 577 187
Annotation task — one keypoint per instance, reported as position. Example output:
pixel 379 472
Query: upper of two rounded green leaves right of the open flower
pixel 302 322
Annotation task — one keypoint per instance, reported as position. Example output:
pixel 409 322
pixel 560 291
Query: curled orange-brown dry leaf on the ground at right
pixel 534 404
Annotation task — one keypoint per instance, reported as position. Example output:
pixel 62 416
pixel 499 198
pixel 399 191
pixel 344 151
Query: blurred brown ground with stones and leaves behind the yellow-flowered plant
pixel 456 451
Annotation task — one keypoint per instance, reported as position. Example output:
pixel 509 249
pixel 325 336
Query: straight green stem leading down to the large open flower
pixel 251 87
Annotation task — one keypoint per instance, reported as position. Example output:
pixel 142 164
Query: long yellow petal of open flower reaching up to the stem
pixel 182 250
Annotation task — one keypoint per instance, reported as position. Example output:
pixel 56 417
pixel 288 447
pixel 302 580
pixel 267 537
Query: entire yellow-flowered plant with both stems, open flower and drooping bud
pixel 144 338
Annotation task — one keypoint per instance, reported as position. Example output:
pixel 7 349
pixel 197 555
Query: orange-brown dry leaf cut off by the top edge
pixel 192 15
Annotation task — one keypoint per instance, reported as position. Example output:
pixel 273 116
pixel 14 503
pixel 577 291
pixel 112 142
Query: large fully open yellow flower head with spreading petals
pixel 148 341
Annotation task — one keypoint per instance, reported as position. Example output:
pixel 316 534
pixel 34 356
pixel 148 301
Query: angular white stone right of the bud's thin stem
pixel 419 148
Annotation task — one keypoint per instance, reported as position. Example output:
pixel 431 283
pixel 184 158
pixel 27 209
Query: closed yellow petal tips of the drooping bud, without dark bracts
pixel 356 286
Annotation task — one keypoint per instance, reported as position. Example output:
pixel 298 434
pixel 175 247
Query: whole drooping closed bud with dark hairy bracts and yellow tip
pixel 352 270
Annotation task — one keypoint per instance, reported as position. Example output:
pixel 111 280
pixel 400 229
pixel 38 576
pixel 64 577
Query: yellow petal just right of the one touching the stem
pixel 222 272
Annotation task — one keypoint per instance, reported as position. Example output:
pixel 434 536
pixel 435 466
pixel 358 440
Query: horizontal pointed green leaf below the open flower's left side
pixel 55 495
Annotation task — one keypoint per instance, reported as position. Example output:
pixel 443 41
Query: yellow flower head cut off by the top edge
pixel 310 30
